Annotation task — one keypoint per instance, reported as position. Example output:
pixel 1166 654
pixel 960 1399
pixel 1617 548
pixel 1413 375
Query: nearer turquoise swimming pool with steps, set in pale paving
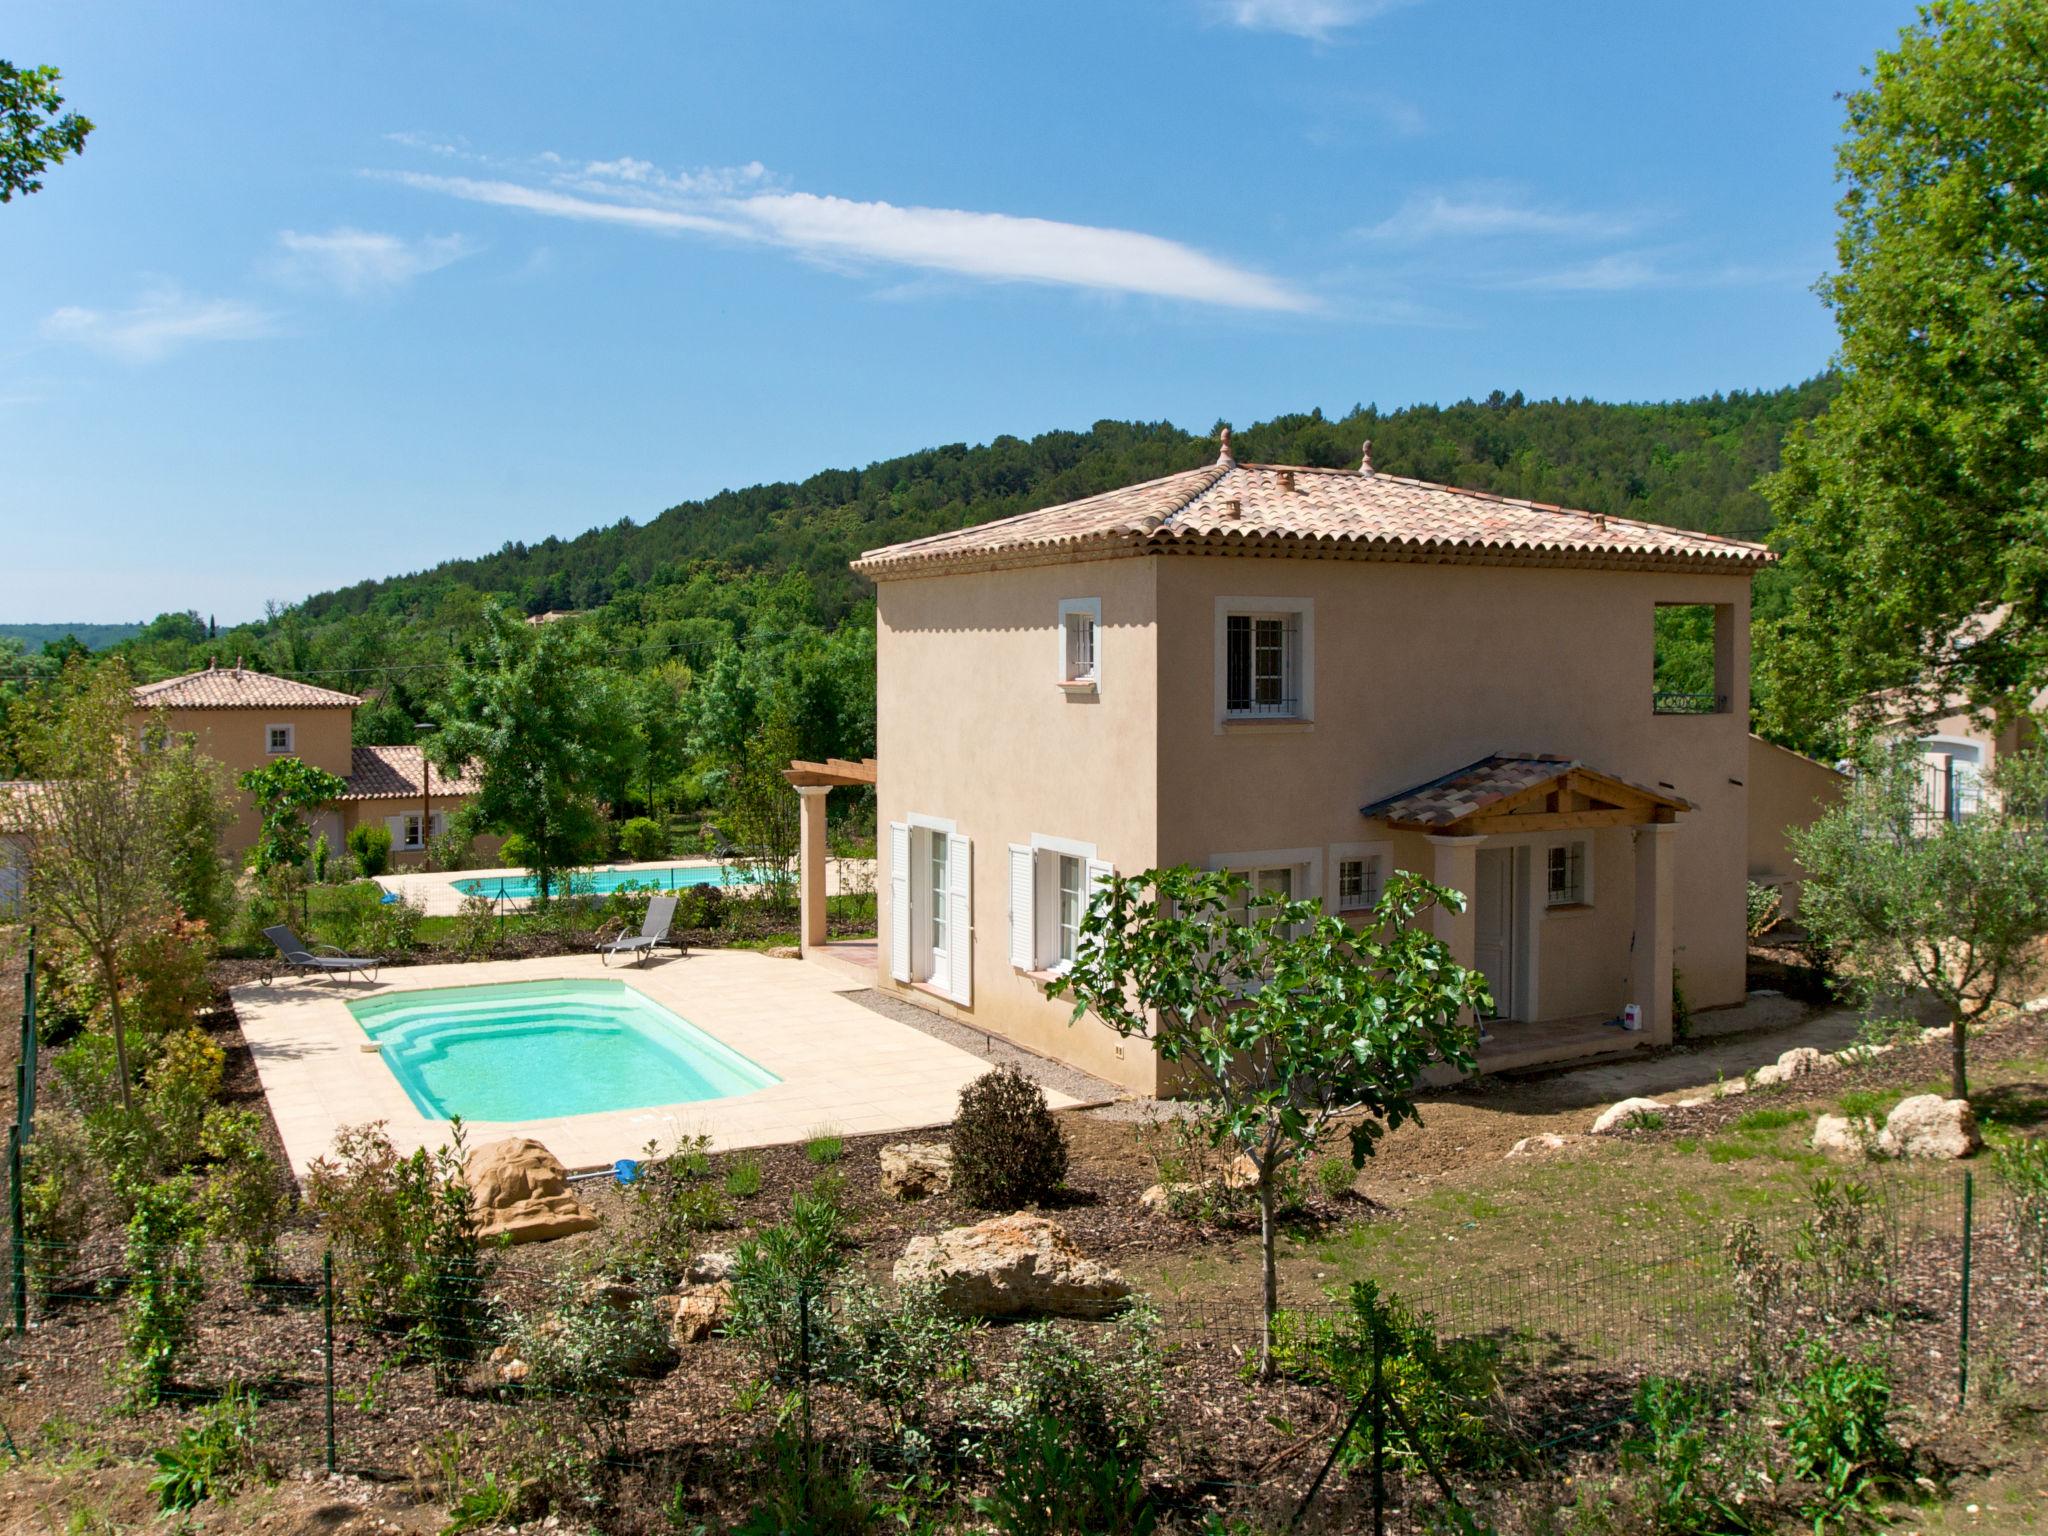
pixel 536 1050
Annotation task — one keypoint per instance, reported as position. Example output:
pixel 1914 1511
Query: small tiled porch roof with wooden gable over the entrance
pixel 1531 790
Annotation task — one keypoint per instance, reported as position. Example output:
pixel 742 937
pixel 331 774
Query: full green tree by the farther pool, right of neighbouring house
pixel 542 718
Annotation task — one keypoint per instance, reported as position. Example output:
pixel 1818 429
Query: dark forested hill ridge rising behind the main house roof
pixel 1691 464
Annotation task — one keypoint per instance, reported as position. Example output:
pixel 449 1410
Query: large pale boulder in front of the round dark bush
pixel 1013 1267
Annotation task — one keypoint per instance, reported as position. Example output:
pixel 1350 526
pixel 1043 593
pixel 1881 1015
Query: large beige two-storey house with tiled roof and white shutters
pixel 1316 677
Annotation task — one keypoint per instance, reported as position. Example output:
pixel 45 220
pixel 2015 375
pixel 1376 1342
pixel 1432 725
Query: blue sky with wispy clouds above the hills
pixel 339 292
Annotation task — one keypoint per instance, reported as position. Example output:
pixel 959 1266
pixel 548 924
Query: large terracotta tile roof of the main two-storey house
pixel 1322 515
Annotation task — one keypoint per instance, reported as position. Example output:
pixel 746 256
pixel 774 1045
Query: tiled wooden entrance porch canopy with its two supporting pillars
pixel 1510 794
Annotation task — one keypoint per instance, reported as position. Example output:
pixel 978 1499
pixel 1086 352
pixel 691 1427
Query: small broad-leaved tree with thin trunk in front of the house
pixel 1283 1019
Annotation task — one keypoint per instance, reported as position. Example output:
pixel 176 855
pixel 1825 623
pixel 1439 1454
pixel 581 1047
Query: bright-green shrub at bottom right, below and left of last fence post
pixel 1838 1426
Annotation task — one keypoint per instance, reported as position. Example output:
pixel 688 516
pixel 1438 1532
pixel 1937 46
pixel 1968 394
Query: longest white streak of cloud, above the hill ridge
pixel 746 204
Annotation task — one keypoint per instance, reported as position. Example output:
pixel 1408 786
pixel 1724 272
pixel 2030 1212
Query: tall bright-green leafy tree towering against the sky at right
pixel 1914 509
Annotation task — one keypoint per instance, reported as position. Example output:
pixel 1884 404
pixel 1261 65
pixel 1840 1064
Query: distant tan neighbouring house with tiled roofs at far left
pixel 247 720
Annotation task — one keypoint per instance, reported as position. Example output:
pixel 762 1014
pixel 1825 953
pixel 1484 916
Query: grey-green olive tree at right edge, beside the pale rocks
pixel 1908 900
